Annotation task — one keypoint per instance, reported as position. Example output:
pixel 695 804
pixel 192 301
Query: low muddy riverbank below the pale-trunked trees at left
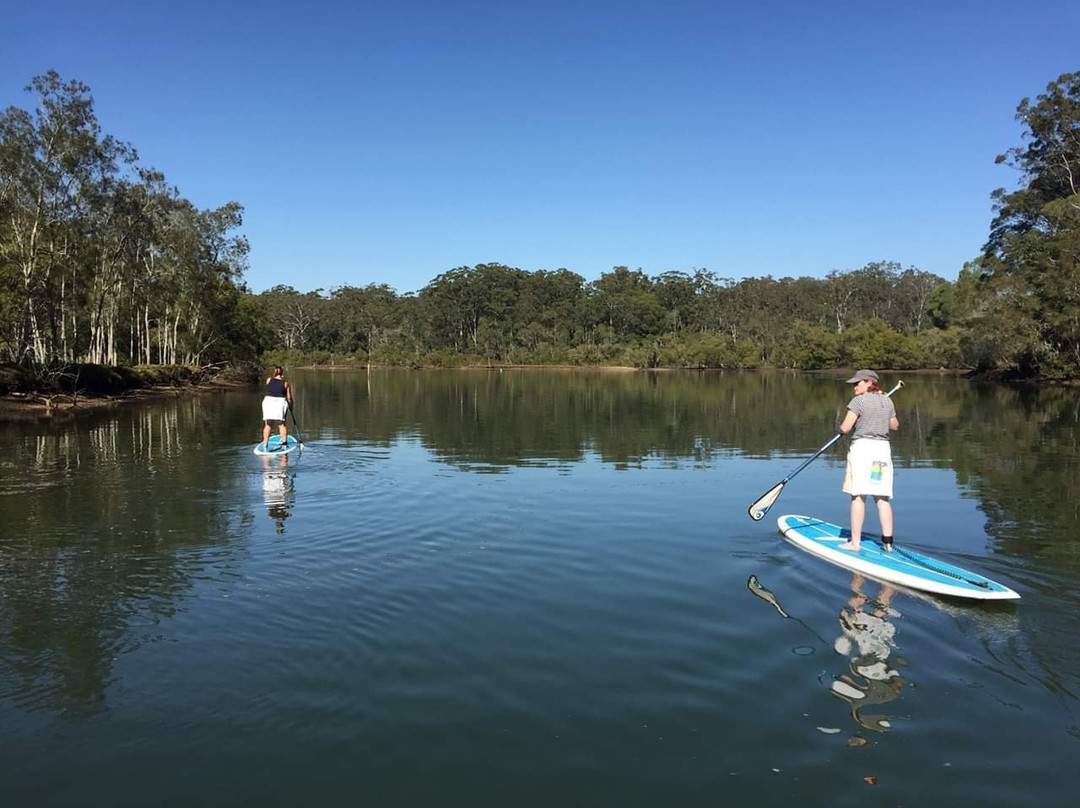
pixel 73 390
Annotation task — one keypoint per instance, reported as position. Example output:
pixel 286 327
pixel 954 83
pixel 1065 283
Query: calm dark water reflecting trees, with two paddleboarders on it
pixel 531 588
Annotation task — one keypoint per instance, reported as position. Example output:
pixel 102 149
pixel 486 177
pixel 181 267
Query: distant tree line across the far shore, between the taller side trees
pixel 881 315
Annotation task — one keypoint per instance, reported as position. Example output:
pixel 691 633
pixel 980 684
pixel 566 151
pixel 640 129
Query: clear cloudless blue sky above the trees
pixel 389 142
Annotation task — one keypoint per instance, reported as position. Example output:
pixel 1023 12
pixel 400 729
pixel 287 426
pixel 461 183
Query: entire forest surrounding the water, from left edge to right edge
pixel 103 262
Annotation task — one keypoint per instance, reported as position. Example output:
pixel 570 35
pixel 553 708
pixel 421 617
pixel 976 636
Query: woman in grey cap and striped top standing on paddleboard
pixel 873 416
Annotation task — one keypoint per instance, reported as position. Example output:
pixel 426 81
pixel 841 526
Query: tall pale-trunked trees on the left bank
pixel 102 261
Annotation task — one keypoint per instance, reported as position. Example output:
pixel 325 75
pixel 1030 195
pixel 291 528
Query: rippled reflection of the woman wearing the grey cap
pixel 867 639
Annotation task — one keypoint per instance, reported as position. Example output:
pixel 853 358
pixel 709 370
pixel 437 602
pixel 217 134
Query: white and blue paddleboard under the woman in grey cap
pixel 902 567
